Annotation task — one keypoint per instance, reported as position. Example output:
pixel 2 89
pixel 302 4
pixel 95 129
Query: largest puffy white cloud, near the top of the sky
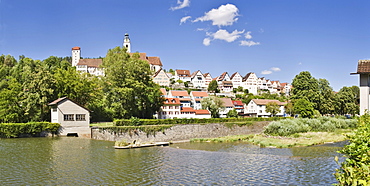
pixel 223 16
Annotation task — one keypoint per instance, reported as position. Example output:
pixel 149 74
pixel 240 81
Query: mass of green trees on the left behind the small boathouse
pixel 126 90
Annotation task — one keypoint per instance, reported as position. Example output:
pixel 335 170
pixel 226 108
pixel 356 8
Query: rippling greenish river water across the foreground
pixel 79 161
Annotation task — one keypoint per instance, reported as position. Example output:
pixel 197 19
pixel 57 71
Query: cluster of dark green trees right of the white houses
pixel 311 96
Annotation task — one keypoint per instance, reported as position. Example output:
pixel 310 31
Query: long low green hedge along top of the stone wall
pixel 138 122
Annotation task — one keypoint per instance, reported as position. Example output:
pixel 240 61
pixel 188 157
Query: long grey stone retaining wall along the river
pixel 182 132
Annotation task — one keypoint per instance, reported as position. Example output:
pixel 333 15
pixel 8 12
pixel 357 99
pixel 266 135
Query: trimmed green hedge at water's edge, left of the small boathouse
pixel 9 130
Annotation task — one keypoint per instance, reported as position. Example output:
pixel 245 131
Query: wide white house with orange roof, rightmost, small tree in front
pixel 257 108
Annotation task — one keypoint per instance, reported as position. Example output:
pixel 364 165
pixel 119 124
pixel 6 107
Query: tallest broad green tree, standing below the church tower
pixel 130 91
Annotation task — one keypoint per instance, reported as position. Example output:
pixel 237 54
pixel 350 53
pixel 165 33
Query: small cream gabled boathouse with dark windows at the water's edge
pixel 73 118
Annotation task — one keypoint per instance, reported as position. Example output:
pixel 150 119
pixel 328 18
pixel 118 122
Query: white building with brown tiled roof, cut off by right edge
pixel 363 69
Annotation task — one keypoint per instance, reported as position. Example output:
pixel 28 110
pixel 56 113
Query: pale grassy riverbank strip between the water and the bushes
pixel 296 140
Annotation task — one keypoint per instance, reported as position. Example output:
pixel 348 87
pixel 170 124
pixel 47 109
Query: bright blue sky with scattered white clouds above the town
pixel 274 39
